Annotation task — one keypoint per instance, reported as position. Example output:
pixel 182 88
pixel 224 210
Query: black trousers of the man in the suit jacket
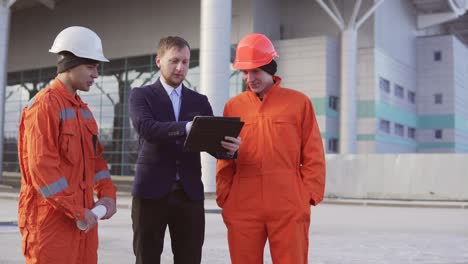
pixel 186 221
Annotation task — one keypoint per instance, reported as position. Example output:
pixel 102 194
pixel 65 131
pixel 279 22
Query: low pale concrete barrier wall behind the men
pixel 425 177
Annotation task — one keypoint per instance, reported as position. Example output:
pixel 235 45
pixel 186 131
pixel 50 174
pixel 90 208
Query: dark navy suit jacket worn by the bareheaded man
pixel 161 140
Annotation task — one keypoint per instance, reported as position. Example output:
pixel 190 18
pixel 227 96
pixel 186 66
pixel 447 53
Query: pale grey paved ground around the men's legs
pixel 343 232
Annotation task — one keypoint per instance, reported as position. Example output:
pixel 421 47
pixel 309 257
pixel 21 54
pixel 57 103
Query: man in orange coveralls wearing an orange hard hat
pixel 280 170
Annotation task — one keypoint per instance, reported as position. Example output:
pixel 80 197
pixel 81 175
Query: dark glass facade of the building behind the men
pixel 107 99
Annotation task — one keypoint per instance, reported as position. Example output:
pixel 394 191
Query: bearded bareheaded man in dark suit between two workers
pixel 168 190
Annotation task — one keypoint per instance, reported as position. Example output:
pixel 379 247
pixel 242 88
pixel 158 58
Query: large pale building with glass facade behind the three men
pixel 387 76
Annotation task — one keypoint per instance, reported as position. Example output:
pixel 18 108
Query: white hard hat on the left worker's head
pixel 81 41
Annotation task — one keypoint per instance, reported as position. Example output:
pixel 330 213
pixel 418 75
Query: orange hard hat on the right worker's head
pixel 253 51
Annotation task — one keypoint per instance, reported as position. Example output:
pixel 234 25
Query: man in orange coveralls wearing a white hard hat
pixel 61 162
